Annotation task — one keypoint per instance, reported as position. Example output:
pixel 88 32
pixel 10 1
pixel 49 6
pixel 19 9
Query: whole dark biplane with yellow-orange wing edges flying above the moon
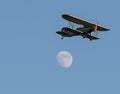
pixel 85 28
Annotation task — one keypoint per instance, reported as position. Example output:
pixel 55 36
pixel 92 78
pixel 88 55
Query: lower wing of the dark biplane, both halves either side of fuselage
pixel 81 33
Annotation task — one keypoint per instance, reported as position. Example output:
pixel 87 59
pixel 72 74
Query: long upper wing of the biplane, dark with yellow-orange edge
pixel 83 22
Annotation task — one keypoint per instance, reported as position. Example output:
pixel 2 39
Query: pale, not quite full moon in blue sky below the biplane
pixel 64 59
